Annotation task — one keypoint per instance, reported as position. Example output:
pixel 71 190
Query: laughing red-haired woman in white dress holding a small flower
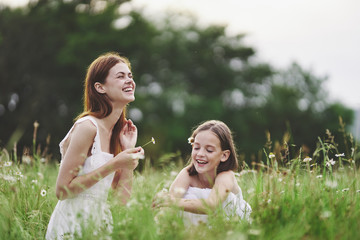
pixel 98 152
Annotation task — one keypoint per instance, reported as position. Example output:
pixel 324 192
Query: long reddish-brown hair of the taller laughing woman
pixel 97 104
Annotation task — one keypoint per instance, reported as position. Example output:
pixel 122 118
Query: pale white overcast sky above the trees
pixel 322 35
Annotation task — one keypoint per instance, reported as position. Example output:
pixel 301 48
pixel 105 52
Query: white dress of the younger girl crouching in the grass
pixel 234 205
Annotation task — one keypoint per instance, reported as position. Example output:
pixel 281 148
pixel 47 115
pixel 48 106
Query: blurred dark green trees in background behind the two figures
pixel 185 74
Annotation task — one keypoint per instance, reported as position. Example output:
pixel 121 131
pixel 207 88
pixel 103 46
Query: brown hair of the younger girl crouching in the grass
pixel 222 131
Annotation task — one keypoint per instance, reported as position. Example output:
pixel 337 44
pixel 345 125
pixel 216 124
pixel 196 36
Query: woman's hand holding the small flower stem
pixel 129 158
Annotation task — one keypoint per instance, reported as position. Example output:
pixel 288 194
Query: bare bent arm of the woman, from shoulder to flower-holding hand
pixel 82 138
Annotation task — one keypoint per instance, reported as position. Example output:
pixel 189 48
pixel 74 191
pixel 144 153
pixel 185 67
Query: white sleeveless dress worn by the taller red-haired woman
pixel 89 209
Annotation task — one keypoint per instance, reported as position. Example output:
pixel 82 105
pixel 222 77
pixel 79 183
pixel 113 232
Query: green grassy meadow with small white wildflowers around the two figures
pixel 304 199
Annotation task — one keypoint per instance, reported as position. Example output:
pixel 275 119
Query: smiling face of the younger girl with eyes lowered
pixel 207 153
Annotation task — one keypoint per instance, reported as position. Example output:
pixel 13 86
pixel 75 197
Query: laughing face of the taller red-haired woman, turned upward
pixel 119 84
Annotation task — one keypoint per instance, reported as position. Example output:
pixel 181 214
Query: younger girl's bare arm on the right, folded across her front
pixel 224 184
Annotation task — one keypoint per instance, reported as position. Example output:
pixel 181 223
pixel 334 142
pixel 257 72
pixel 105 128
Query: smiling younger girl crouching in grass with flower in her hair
pixel 209 181
